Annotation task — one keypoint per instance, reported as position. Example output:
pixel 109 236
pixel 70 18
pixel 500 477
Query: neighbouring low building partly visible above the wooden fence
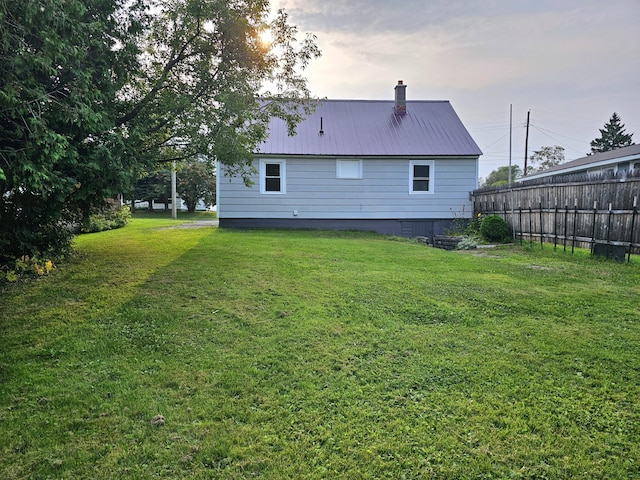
pixel 614 162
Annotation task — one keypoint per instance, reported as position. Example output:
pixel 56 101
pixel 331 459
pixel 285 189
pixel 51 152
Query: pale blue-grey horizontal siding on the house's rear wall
pixel 314 192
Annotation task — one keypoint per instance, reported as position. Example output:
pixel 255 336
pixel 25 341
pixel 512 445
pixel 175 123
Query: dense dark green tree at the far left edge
pixel 59 74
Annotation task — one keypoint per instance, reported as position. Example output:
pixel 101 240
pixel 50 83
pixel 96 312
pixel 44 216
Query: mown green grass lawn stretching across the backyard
pixel 318 355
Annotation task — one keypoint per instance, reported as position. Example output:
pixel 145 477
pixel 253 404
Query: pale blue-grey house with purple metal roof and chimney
pixel 395 167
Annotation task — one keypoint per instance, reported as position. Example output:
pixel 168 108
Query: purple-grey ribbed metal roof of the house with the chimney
pixel 372 128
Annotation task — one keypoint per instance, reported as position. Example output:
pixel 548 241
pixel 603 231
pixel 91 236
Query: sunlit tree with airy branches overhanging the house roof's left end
pixel 201 66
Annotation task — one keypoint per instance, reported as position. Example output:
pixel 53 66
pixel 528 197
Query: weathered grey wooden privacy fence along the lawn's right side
pixel 587 212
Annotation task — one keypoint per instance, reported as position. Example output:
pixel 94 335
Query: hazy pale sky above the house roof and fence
pixel 572 63
